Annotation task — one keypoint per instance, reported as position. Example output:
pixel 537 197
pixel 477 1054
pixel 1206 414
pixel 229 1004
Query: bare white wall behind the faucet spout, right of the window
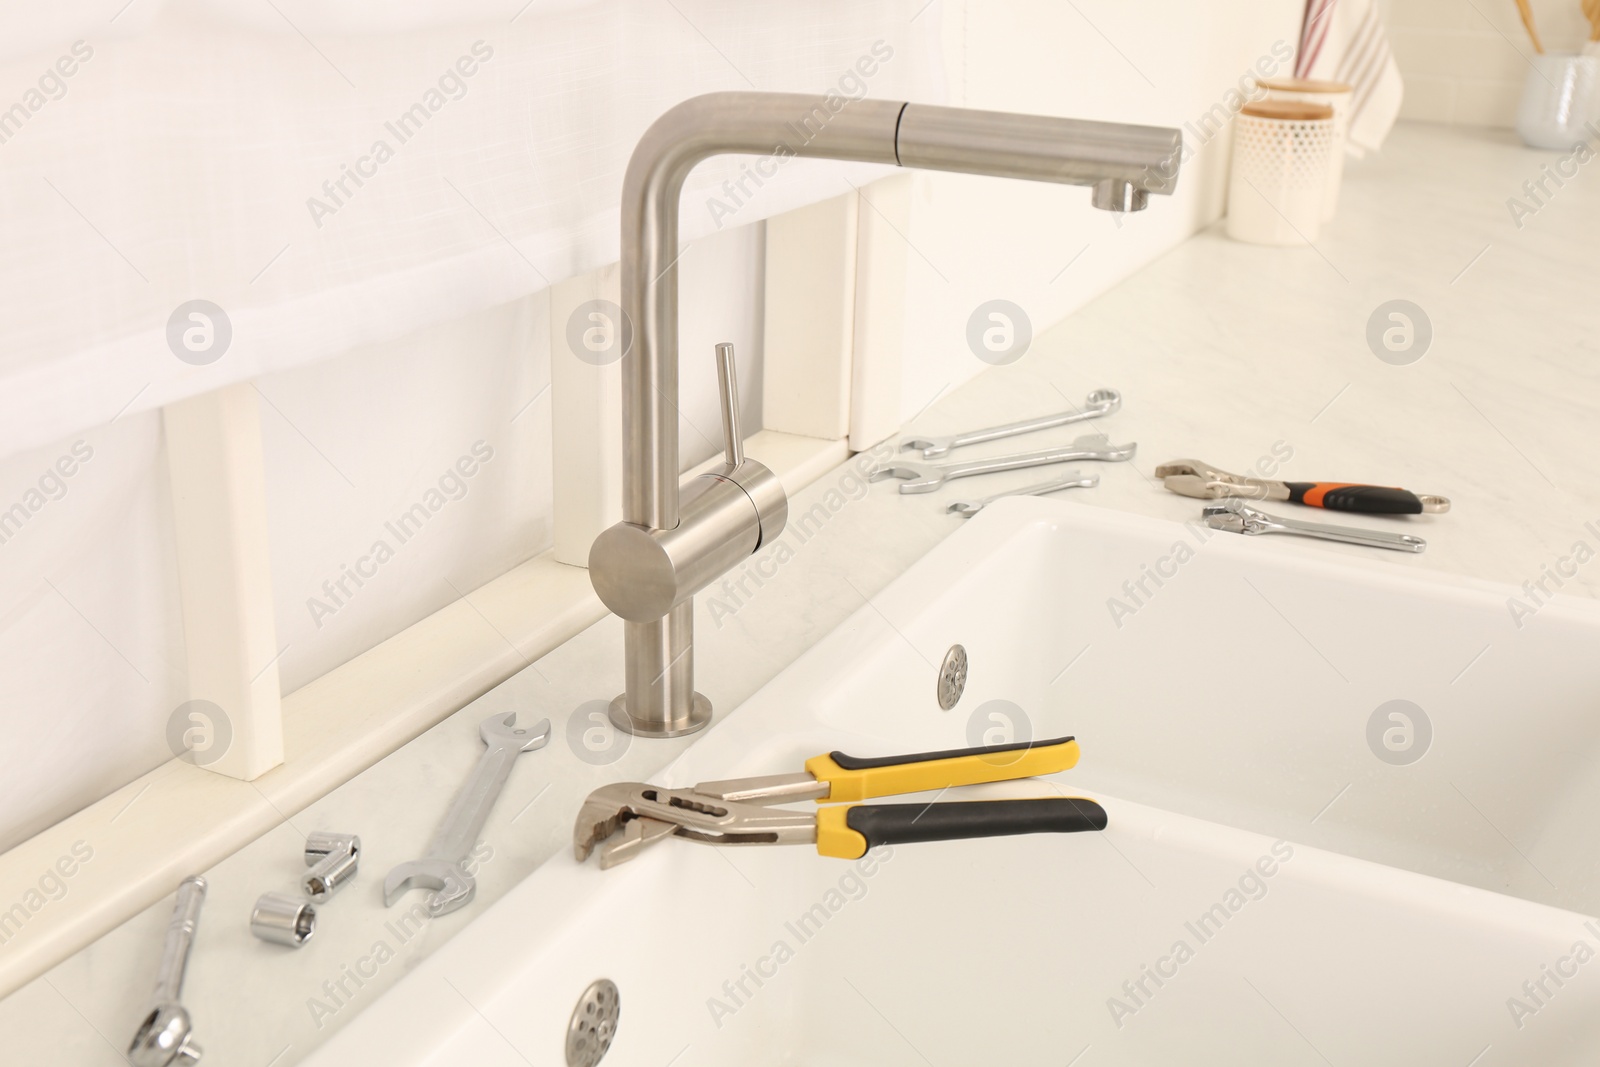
pixel 977 239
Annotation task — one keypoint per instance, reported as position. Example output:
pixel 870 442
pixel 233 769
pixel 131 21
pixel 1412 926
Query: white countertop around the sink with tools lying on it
pixel 1222 351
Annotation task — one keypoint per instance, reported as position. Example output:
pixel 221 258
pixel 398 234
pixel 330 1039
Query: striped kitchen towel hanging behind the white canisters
pixel 1343 41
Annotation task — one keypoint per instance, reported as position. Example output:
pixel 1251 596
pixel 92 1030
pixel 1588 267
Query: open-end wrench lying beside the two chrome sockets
pixel 441 869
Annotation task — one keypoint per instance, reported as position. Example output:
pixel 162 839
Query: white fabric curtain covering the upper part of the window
pixel 338 175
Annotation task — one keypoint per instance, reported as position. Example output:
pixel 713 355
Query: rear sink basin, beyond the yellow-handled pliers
pixel 1244 689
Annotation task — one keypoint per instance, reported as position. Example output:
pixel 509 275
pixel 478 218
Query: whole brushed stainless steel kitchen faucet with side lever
pixel 674 541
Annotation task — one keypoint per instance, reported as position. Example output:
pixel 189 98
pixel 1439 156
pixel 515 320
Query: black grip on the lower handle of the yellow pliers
pixel 953 821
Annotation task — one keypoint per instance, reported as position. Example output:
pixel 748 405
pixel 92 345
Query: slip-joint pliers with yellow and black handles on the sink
pixel 626 818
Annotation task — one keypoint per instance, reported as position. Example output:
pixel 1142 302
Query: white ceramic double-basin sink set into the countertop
pixel 1362 911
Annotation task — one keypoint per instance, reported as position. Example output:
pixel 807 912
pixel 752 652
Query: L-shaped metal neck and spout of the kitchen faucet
pixel 1122 164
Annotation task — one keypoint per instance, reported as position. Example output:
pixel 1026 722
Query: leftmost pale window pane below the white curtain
pixel 92 642
